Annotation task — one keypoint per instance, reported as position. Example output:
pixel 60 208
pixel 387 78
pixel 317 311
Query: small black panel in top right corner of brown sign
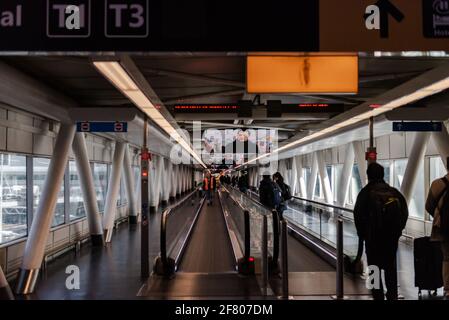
pixel 436 18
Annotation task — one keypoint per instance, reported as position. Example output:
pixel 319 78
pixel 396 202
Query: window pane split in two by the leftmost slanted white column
pixel 40 170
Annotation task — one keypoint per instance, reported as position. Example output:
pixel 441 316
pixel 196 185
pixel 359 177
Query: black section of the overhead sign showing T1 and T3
pixel 162 25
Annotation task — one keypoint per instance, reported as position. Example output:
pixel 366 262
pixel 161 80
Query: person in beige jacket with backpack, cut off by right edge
pixel 437 205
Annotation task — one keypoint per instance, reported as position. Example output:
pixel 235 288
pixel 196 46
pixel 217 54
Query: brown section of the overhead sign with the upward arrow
pixel 384 25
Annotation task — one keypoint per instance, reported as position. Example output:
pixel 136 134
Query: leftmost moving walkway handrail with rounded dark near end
pixel 165 265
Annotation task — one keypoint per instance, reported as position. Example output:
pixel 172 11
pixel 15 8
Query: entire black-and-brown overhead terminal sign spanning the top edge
pixel 204 25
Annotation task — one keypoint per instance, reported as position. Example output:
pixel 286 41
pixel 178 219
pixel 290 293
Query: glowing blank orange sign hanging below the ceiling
pixel 303 74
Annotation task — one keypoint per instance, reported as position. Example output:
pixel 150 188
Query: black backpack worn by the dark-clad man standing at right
pixel 388 214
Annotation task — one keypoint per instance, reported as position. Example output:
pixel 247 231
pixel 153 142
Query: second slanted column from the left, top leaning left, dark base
pixel 88 189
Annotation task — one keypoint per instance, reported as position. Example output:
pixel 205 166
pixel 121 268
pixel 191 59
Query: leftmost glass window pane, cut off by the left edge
pixel 13 209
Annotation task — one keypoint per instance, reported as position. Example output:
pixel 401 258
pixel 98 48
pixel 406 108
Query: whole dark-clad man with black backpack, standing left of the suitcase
pixel 380 216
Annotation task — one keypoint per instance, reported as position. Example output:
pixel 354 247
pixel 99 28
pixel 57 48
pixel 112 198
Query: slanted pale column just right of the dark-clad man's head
pixel 415 159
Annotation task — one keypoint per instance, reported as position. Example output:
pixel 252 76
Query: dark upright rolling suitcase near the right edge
pixel 428 260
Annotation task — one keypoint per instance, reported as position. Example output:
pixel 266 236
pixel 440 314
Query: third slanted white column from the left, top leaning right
pixel 110 208
